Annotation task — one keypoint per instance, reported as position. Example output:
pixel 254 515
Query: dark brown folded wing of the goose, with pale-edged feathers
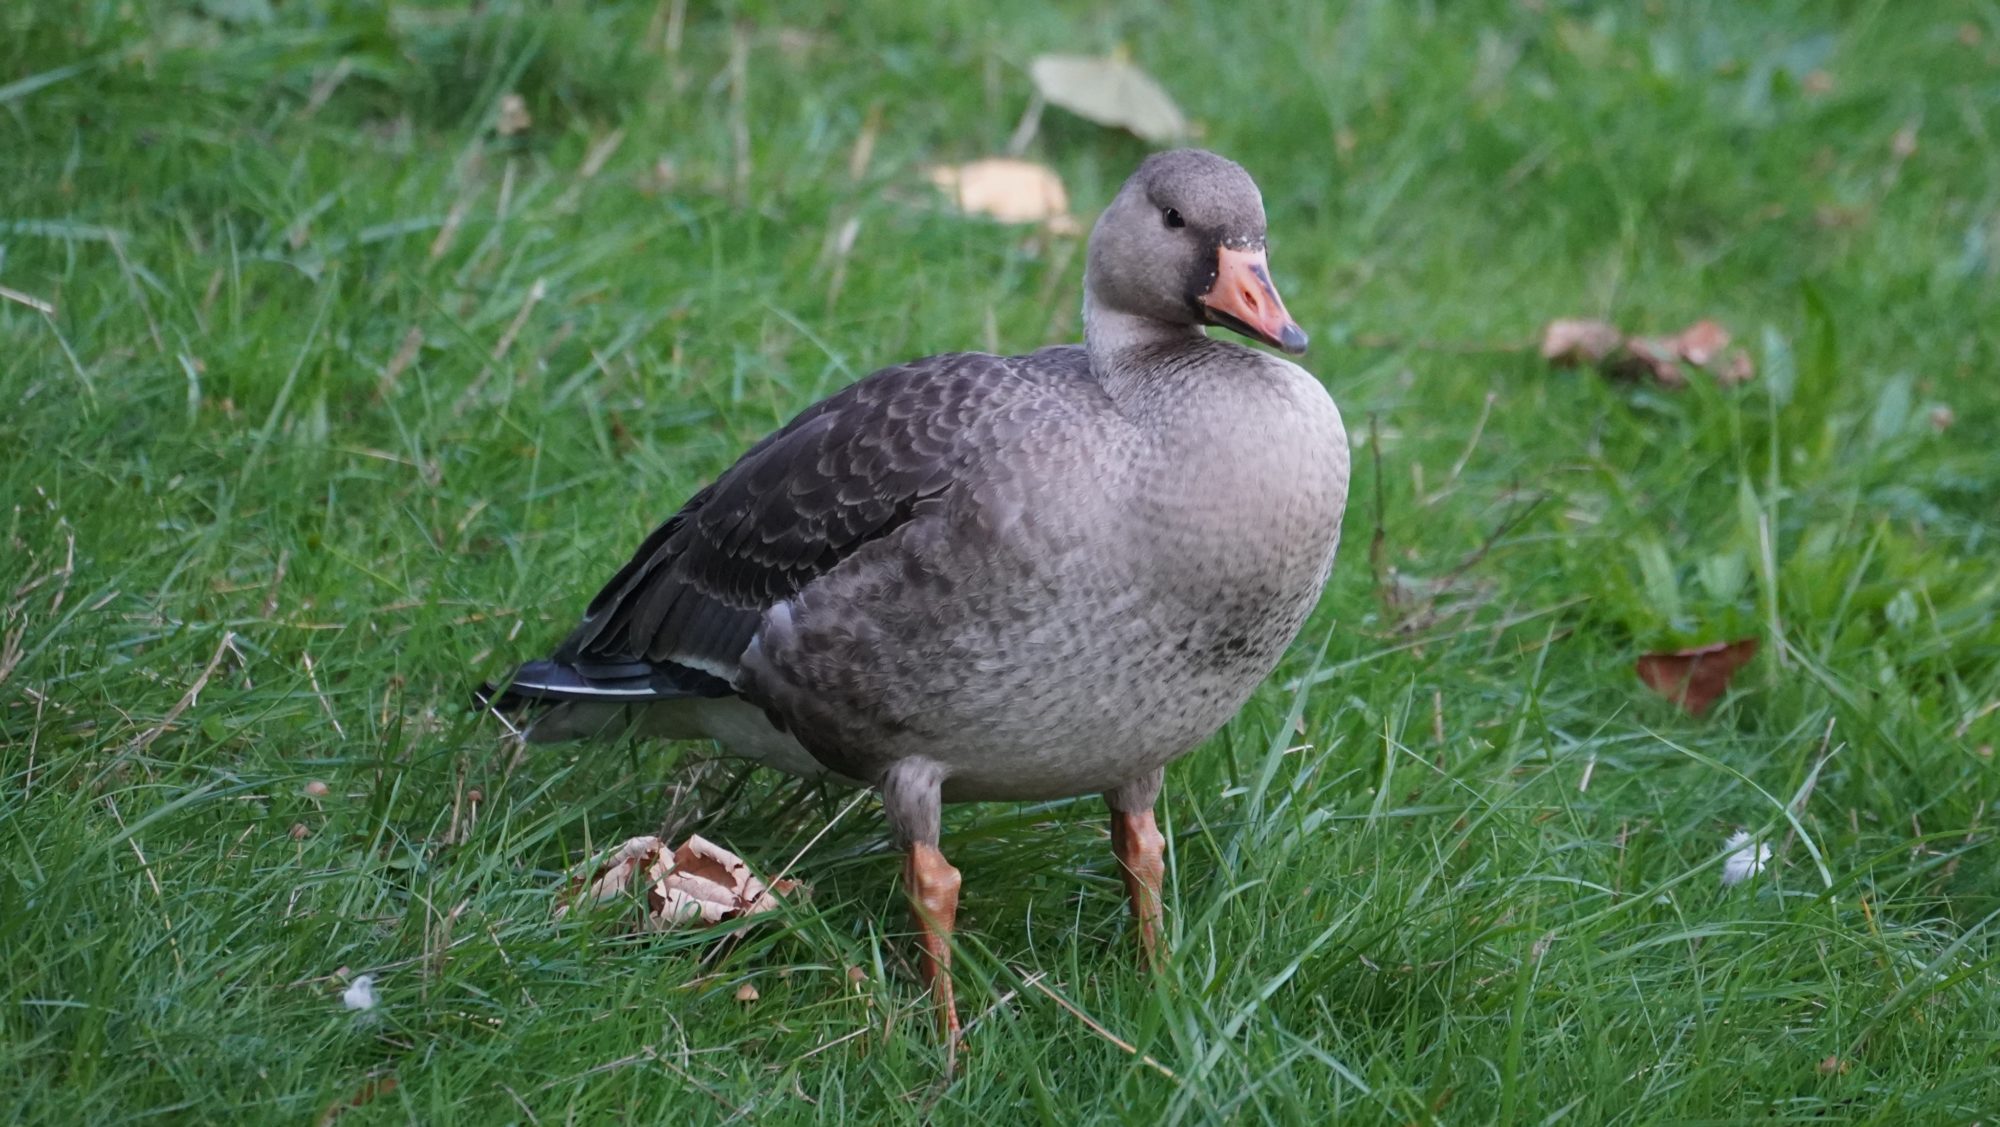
pixel 849 471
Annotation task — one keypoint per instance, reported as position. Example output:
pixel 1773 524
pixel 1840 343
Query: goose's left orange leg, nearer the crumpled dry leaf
pixel 911 800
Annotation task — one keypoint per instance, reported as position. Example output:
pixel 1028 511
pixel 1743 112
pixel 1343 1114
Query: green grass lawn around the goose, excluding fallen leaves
pixel 327 401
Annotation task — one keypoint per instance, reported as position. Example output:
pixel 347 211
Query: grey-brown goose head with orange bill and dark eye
pixel 1183 247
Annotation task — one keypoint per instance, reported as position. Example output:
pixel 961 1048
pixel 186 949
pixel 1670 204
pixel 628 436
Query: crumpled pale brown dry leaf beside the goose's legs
pixel 697 882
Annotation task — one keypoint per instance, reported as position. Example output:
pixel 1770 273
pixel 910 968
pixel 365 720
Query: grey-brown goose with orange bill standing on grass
pixel 981 578
